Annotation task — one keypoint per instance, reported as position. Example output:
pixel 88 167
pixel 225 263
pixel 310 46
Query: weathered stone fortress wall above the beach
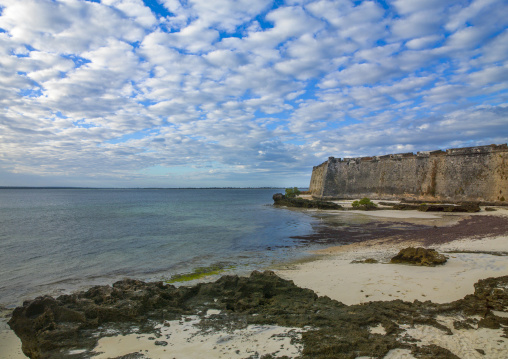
pixel 478 174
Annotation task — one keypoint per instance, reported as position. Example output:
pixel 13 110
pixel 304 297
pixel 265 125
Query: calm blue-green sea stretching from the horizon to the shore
pixel 57 240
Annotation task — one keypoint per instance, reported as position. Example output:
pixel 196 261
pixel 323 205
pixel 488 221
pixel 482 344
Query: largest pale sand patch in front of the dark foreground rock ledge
pixel 185 340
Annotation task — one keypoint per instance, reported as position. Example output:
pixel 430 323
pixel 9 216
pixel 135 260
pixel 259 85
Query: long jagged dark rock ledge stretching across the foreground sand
pixel 50 327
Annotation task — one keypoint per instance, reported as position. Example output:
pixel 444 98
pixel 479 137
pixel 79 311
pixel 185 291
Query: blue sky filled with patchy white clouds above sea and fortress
pixel 245 93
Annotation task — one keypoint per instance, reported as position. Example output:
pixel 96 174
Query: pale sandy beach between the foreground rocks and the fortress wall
pixel 333 270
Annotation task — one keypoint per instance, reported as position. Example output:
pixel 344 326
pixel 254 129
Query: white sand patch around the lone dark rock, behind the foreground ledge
pixel 336 277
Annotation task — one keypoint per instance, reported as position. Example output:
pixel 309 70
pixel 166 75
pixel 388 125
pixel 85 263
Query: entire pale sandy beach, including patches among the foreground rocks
pixel 341 274
